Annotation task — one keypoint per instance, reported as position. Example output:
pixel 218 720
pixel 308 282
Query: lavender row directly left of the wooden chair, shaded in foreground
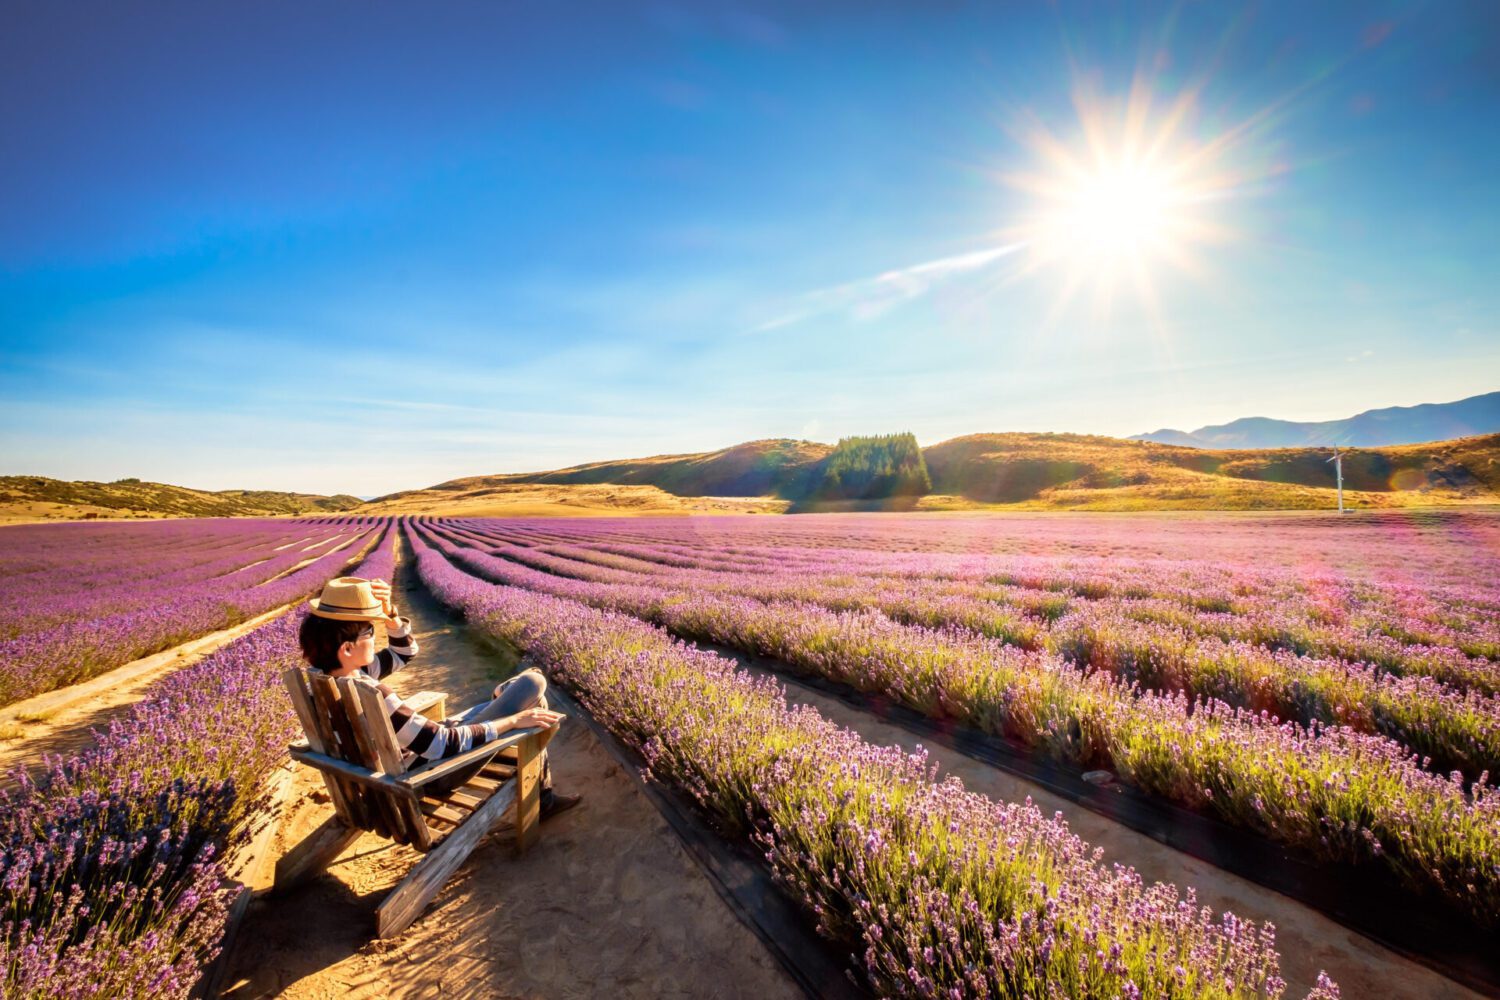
pixel 113 861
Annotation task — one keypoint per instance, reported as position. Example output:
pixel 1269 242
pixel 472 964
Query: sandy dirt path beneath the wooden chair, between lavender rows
pixel 607 905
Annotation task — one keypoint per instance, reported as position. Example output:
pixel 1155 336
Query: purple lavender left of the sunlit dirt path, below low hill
pixel 151 599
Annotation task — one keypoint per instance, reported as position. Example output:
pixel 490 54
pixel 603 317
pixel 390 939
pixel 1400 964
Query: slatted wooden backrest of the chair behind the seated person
pixel 346 720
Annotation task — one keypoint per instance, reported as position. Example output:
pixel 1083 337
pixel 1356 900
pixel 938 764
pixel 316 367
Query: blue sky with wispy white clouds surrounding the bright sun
pixel 364 248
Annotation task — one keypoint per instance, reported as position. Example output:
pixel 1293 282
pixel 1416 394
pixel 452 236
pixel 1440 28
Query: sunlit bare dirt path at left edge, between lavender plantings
pixel 64 722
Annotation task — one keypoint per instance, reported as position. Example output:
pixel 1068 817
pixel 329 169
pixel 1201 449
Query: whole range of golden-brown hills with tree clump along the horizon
pixel 986 472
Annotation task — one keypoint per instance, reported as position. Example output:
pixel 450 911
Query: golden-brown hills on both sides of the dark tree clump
pixel 995 472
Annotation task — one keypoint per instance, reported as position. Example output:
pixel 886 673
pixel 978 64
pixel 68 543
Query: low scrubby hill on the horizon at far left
pixel 40 499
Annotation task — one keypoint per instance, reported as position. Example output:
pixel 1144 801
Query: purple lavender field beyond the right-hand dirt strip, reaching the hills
pixel 1322 684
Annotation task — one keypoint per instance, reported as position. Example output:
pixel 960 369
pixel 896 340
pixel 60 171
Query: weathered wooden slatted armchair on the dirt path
pixel 350 740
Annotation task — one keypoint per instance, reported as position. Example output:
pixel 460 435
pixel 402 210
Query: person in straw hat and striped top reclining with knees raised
pixel 338 638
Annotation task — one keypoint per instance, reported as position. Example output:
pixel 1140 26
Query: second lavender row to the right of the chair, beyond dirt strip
pixel 1331 791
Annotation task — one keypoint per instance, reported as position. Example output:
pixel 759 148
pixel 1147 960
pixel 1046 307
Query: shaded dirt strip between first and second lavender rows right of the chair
pixel 1309 942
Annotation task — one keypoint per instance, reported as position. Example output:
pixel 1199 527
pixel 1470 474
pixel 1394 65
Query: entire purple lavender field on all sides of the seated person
pixel 1328 686
